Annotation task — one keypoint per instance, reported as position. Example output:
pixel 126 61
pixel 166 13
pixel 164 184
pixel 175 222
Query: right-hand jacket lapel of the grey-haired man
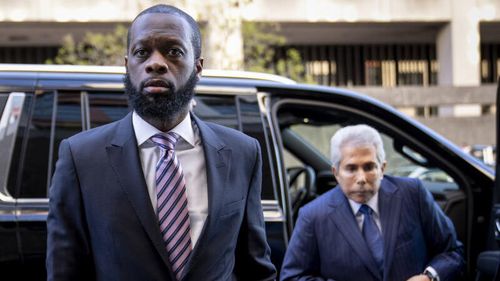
pixel 390 210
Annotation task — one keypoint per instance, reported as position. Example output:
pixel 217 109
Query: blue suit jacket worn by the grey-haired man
pixel 327 243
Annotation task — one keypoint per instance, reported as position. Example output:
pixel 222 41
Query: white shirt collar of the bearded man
pixel 144 131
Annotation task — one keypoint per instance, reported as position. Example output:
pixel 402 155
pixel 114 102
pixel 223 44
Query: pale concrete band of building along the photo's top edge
pixel 261 10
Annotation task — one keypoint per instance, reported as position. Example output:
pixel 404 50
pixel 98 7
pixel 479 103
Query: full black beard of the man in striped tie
pixel 160 106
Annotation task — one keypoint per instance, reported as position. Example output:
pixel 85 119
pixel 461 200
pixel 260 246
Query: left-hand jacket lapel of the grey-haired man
pixel 342 216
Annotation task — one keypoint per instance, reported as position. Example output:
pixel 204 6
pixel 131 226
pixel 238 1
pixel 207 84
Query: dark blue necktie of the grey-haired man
pixel 372 236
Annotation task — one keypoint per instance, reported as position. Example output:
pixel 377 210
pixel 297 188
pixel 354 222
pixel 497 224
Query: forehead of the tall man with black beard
pixel 159 24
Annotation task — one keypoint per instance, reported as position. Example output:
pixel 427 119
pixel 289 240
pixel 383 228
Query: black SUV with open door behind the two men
pixel 40 105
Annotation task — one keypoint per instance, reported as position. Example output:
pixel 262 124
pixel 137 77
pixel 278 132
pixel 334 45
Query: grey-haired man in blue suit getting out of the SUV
pixel 372 226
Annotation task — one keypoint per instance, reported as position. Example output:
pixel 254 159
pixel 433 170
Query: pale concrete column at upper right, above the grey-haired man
pixel 458 50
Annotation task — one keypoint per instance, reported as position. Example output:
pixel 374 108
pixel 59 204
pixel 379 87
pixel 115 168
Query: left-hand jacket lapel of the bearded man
pixel 124 157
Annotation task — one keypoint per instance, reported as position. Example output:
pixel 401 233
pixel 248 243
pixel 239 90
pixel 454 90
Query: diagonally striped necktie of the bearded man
pixel 172 208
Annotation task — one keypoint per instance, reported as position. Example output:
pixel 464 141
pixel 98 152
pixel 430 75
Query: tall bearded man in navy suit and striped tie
pixel 160 194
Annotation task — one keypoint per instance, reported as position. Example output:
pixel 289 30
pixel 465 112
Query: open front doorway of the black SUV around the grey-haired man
pixel 307 126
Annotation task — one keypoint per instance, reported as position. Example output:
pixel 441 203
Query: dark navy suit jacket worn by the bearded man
pixel 102 226
